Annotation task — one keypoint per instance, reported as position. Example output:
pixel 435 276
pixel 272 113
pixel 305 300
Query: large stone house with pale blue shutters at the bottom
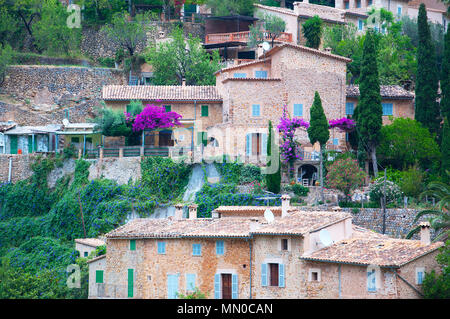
pixel 298 254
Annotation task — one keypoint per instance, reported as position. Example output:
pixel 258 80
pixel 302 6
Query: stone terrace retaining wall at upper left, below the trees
pixel 41 94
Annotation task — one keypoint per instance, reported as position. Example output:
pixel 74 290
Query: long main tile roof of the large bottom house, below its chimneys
pixel 297 223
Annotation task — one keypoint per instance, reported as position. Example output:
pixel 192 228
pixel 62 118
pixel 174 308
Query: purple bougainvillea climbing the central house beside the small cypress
pixel 290 149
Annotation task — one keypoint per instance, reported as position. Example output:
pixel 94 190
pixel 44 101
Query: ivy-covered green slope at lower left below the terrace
pixel 38 224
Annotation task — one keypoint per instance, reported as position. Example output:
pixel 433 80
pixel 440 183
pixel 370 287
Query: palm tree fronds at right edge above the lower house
pixel 439 217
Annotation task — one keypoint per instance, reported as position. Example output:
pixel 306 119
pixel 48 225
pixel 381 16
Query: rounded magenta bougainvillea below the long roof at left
pixel 154 117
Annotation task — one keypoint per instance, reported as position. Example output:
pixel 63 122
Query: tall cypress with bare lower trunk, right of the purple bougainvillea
pixel 369 116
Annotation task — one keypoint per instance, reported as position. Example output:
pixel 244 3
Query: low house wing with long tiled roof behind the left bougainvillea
pixel 200 107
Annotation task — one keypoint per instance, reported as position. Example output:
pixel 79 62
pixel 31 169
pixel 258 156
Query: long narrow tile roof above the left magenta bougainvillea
pixel 160 92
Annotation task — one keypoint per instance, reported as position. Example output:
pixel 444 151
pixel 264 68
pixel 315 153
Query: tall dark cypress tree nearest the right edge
pixel 426 109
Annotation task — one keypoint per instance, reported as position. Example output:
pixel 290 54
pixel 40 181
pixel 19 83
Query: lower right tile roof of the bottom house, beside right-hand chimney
pixel 369 249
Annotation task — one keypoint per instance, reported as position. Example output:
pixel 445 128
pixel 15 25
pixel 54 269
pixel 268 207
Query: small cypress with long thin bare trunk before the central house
pixel 318 131
